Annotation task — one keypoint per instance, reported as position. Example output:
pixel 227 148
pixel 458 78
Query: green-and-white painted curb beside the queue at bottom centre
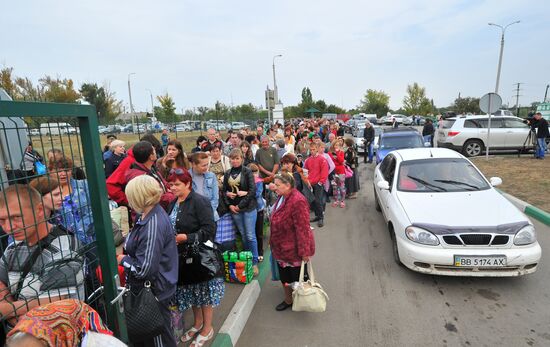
pixel 235 322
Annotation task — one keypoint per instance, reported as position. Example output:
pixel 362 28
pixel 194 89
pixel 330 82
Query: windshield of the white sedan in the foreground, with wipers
pixel 440 175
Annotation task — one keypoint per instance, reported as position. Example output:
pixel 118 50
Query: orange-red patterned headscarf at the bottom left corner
pixel 61 323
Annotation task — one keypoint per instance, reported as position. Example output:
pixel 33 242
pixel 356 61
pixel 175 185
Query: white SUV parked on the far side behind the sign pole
pixel 468 134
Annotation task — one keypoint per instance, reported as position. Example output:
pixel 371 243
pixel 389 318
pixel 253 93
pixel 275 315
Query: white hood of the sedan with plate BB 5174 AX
pixel 482 208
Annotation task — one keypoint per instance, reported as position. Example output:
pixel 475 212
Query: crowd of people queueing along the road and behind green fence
pixel 220 191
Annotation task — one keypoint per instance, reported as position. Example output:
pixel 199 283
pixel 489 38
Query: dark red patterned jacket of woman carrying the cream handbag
pixel 291 241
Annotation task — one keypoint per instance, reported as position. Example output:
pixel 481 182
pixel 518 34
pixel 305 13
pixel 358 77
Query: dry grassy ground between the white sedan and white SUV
pixel 525 178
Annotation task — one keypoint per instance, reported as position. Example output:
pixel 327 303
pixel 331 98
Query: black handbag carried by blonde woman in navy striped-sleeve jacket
pixel 143 313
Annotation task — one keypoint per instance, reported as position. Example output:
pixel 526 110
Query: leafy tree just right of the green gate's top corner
pixel 107 106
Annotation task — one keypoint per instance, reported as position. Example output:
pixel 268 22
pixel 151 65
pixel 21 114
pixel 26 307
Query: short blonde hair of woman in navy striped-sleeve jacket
pixel 143 191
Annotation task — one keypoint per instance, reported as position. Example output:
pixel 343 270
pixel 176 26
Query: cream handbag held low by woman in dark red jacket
pixel 309 296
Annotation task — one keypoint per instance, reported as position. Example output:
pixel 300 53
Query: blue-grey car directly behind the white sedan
pixel 392 139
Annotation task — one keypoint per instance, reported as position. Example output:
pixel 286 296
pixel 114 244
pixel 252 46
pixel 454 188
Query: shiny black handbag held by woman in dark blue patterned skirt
pixel 199 262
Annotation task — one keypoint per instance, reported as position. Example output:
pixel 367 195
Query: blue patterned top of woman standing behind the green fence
pixel 76 213
